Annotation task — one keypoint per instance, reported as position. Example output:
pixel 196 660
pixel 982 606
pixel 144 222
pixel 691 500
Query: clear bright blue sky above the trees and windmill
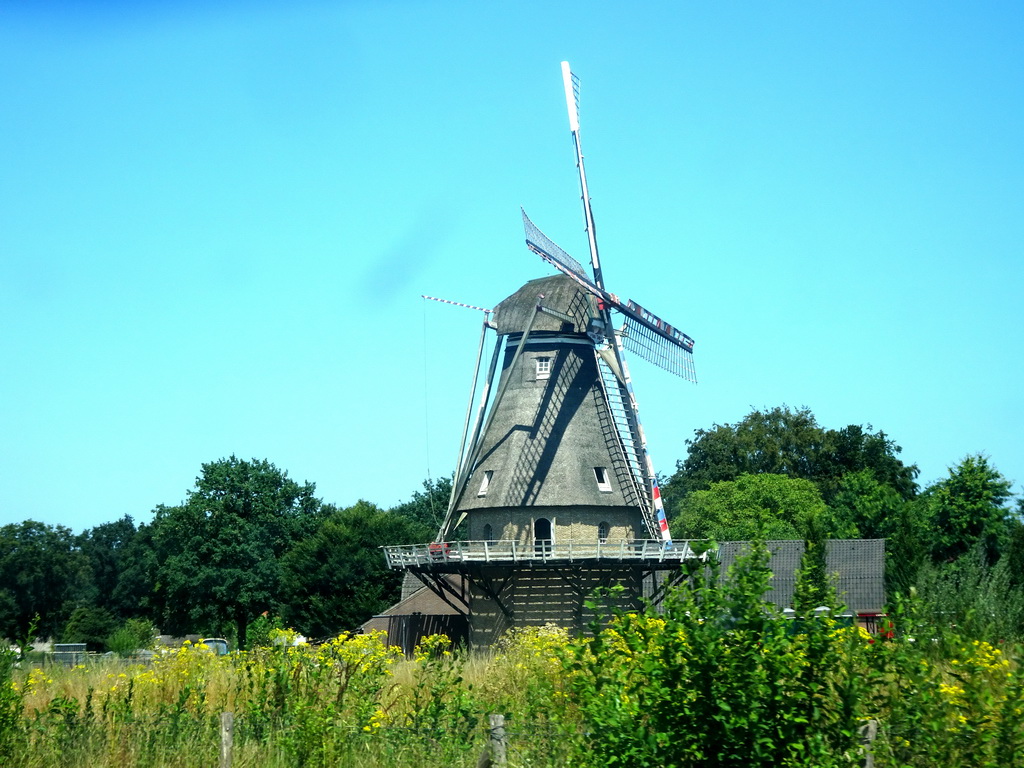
pixel 217 226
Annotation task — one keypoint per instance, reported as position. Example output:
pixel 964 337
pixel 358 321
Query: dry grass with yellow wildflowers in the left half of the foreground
pixel 350 702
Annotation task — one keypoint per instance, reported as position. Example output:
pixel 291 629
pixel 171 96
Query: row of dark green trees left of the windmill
pixel 248 549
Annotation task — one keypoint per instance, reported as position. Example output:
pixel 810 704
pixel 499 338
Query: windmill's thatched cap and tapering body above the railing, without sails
pixel 551 450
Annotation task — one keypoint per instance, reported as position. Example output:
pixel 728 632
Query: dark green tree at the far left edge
pixel 41 574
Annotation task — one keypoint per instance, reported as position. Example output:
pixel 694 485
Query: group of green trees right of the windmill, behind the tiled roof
pixel 958 543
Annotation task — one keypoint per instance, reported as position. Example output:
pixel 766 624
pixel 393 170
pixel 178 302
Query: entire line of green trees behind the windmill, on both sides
pixel 250 548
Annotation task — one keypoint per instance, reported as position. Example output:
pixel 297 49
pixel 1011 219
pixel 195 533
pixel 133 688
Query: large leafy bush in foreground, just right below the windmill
pixel 718 679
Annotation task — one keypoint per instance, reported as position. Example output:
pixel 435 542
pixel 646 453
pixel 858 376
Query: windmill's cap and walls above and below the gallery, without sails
pixel 551 457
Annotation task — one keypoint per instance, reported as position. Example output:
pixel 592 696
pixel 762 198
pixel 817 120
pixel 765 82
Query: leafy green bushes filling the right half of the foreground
pixel 719 678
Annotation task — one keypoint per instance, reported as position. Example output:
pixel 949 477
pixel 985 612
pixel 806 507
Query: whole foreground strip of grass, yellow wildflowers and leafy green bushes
pixel 716 679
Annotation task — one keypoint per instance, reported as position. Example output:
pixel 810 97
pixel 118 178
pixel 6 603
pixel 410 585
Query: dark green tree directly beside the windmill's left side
pixel 337 579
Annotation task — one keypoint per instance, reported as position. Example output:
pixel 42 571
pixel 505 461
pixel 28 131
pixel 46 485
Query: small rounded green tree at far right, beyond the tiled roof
pixel 968 509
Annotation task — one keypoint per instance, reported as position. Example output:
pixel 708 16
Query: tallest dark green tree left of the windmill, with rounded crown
pixel 219 554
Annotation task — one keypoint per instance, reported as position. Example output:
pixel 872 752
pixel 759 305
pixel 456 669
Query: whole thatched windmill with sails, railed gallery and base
pixel 556 494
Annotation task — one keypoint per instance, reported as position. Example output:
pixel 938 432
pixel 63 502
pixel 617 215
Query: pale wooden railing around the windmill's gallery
pixel 510 551
